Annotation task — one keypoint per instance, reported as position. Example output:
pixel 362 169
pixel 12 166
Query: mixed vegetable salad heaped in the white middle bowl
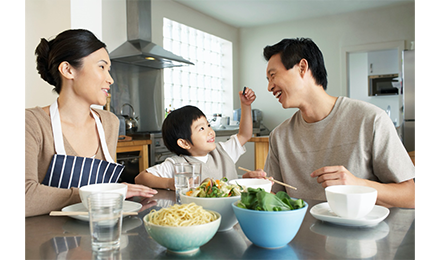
pixel 211 188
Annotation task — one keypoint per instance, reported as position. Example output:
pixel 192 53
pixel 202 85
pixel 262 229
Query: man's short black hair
pixel 293 50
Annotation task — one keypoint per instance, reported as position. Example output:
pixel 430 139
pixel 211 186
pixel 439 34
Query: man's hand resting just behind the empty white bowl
pixel 336 175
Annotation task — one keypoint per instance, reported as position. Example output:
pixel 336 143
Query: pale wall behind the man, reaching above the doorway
pixel 331 34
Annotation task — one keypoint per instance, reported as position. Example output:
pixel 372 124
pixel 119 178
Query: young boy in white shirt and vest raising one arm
pixel 187 133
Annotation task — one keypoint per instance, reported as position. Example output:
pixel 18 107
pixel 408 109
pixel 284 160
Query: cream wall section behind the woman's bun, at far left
pixel 43 19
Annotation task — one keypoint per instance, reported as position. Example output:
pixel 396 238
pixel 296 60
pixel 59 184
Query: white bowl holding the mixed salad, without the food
pixel 221 205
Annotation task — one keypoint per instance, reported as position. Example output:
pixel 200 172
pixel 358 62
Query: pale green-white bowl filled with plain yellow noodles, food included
pixel 182 229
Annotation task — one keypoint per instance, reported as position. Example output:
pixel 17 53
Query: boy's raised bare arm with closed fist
pixel 245 130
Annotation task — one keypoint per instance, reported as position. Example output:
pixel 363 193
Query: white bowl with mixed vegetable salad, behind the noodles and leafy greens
pixel 216 195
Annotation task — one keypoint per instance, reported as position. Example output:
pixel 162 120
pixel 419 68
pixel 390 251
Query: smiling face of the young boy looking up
pixel 202 136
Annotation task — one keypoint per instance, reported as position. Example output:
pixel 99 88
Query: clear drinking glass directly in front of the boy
pixel 186 175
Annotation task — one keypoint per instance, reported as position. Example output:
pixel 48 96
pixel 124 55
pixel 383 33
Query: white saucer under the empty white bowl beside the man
pixel 323 212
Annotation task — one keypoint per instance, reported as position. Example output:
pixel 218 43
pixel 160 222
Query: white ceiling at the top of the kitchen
pixel 248 13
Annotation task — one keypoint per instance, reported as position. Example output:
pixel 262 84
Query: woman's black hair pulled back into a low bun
pixel 70 46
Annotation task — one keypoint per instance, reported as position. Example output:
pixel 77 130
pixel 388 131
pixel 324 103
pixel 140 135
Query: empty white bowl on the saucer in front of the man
pixel 351 201
